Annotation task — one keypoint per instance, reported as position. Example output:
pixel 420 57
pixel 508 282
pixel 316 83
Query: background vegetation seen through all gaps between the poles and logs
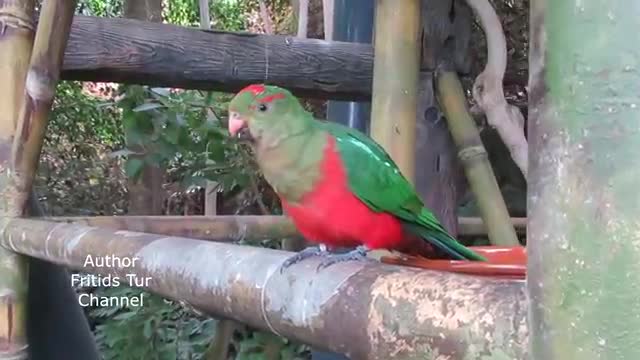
pixel 86 165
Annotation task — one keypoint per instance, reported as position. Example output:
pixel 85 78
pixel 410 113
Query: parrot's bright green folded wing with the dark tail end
pixel 376 180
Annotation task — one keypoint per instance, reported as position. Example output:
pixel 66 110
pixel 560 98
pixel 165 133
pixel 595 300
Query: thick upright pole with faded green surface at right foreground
pixel 584 106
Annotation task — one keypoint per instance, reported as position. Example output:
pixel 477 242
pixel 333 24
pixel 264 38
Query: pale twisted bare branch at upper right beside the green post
pixel 488 91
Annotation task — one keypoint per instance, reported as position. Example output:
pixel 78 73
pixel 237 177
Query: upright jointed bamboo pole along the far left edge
pixel 16 40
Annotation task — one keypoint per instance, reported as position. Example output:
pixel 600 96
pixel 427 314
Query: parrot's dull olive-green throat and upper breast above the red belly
pixel 292 164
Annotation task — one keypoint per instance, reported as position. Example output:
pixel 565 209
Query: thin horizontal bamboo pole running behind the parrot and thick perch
pixel 228 228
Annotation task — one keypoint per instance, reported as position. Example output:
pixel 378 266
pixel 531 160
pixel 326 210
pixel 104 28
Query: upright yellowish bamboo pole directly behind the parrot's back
pixel 395 80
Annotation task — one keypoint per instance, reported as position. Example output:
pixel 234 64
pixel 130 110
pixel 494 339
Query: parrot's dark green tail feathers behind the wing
pixel 430 230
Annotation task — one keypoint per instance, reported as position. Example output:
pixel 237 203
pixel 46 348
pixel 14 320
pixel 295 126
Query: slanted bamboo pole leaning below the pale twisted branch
pixel 475 160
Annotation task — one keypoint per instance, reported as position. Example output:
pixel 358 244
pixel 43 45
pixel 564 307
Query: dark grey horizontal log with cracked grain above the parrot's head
pixel 138 52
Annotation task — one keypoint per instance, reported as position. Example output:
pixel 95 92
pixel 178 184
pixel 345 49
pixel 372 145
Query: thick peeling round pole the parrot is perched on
pixel 366 310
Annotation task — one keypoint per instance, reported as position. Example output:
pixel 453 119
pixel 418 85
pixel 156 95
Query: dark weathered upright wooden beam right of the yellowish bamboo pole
pixel 439 177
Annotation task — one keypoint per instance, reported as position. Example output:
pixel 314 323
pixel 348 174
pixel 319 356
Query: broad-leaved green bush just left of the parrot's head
pixel 183 131
